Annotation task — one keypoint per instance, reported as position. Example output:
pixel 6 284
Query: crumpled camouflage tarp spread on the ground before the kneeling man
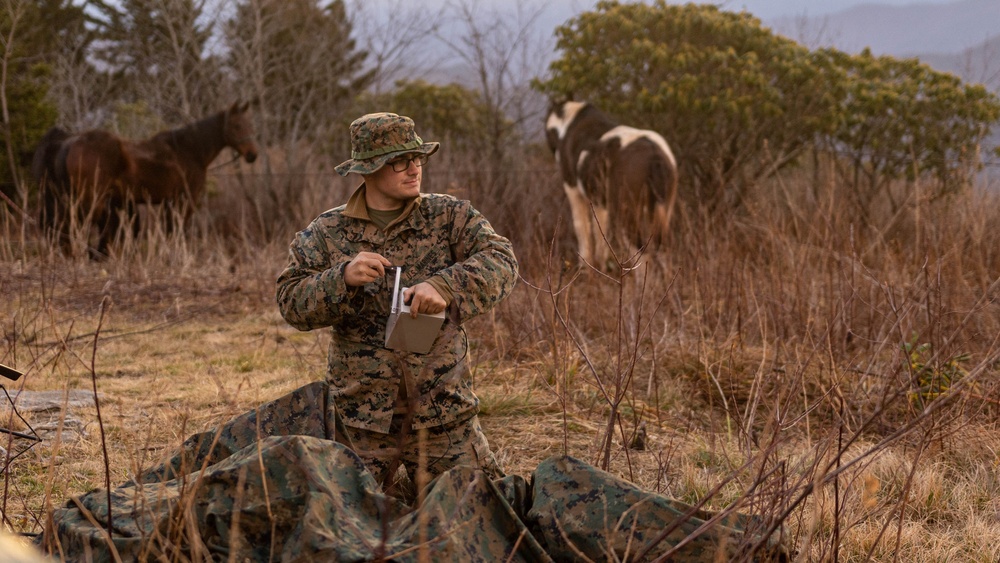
pixel 271 486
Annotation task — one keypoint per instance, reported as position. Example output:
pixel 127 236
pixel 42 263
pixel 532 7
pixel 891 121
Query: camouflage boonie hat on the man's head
pixel 378 137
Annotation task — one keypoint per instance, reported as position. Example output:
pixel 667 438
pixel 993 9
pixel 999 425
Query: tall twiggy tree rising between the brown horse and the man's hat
pixel 297 60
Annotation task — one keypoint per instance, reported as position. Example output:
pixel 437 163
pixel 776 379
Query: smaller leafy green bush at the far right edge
pixel 900 119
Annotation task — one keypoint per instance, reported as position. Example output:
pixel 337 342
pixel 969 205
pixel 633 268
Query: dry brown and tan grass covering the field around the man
pixel 834 376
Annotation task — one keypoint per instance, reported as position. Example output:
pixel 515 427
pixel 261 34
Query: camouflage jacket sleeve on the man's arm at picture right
pixel 485 271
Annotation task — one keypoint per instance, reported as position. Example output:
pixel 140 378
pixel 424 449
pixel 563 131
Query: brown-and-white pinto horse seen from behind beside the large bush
pixel 621 182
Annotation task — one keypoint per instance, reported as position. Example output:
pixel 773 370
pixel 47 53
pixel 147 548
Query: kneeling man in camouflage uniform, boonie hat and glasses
pixel 398 407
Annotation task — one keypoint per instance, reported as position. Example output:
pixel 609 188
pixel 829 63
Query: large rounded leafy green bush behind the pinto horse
pixel 734 101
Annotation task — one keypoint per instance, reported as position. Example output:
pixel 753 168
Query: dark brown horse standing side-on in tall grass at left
pixel 100 176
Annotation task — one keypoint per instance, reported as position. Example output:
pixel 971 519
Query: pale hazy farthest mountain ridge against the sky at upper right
pixel 898 30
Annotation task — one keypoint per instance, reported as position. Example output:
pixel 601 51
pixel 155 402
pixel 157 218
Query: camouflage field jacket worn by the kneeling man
pixel 442 236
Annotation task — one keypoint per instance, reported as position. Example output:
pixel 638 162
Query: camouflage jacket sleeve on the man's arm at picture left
pixel 311 292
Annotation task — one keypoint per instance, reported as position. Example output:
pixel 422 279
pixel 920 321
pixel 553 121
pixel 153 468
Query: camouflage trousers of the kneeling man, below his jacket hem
pixel 427 452
